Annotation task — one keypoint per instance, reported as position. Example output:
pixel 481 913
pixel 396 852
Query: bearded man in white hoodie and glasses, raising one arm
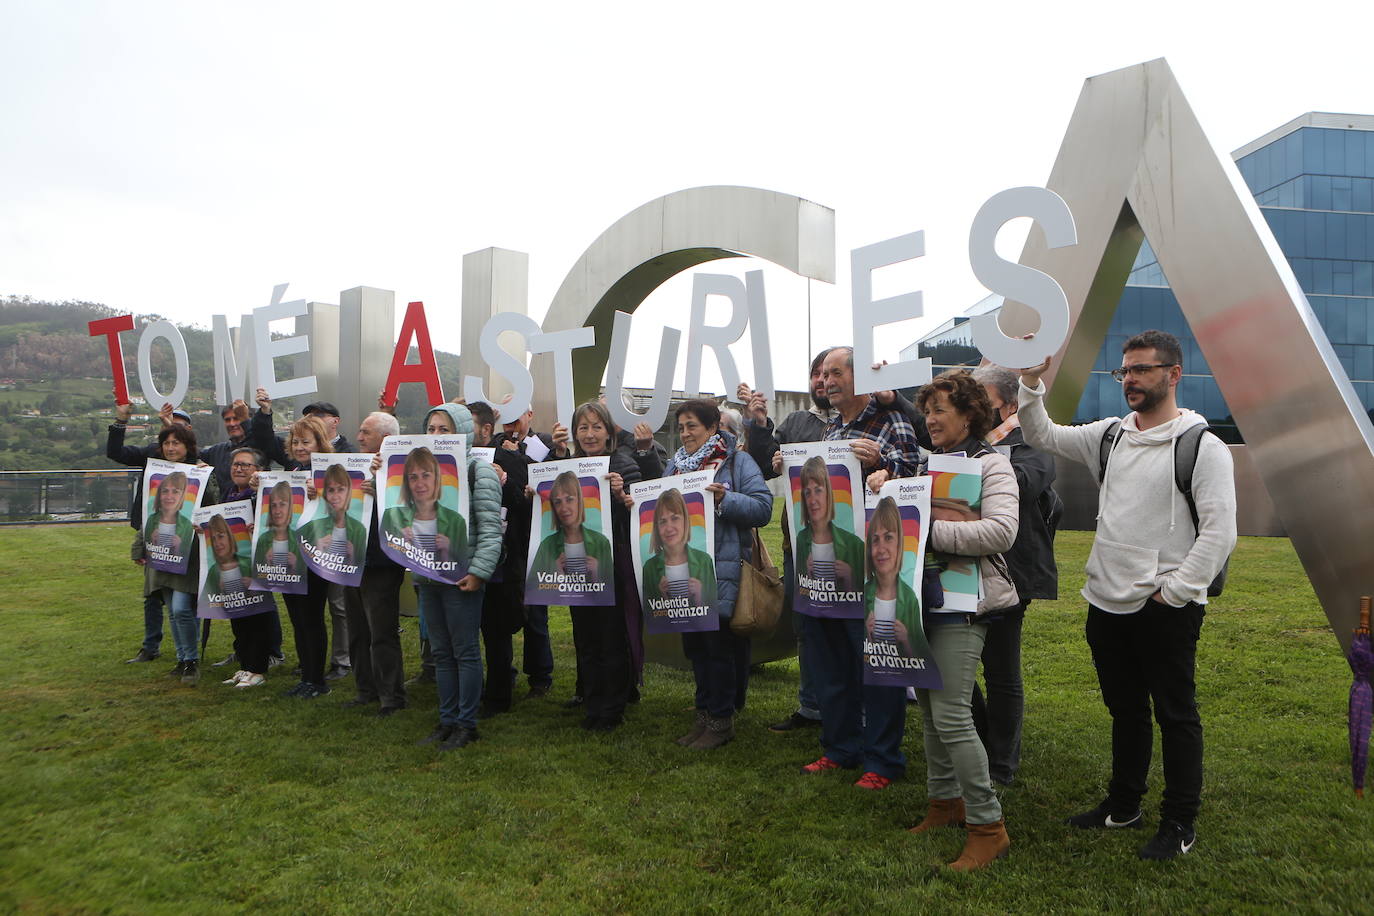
pixel 1148 579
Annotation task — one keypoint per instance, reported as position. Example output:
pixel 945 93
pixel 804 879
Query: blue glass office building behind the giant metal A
pixel 1314 182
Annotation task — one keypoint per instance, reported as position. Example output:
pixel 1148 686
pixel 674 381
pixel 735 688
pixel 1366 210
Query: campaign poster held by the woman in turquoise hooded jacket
pixel 424 516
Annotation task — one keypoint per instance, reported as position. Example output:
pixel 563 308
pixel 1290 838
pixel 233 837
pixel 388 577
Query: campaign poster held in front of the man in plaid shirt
pixel 825 507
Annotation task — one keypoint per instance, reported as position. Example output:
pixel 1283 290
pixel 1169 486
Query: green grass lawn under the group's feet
pixel 124 792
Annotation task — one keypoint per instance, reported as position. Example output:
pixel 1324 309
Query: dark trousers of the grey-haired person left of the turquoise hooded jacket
pixel 374 645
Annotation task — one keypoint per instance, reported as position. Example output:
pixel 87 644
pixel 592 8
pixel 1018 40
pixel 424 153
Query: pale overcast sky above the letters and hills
pixel 183 159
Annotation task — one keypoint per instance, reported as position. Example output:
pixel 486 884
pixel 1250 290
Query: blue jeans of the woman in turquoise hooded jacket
pixel 455 621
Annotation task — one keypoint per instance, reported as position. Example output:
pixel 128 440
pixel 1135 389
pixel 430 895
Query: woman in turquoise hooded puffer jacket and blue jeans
pixel 454 613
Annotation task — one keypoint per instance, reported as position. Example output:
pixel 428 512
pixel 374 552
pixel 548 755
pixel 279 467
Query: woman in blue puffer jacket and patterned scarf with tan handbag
pixel 721 660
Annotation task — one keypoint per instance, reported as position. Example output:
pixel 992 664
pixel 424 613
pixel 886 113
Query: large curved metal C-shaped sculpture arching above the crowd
pixel 667 237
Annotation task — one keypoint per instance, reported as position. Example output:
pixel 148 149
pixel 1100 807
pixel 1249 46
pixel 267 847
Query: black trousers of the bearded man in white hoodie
pixel 1145 659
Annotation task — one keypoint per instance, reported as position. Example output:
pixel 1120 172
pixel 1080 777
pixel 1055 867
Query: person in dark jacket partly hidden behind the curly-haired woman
pixel 1031 561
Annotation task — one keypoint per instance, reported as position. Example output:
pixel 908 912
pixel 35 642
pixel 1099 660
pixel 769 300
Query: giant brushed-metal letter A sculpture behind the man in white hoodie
pixel 1136 160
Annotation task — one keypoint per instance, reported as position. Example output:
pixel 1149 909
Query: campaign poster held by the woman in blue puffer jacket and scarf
pixel 674 547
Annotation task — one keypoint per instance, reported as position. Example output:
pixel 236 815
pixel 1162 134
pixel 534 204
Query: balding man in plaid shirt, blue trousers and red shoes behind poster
pixel 858 724
